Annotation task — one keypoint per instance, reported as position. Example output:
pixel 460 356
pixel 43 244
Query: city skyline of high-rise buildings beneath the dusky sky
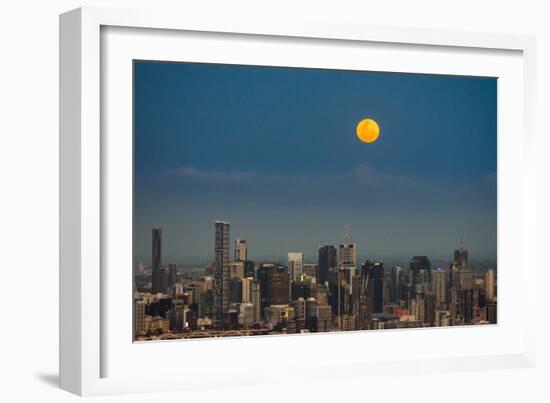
pixel 238 297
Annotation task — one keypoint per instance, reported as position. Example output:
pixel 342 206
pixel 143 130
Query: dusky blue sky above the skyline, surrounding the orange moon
pixel 273 150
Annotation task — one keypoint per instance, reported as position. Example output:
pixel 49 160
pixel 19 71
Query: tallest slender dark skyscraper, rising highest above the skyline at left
pixel 222 271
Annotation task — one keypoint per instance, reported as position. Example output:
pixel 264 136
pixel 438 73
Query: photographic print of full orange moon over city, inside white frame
pixel 275 200
